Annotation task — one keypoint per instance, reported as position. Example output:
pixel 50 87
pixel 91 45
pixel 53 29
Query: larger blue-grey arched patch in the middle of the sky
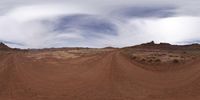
pixel 89 25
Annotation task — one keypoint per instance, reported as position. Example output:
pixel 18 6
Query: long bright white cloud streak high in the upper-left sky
pixel 35 12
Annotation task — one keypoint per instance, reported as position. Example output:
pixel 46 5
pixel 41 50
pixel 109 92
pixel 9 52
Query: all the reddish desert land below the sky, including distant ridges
pixel 144 72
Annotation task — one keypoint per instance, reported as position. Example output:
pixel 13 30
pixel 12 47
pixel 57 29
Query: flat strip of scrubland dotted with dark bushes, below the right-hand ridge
pixel 159 56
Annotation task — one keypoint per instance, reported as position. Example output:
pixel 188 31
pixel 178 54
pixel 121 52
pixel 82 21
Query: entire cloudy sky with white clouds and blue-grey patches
pixel 98 23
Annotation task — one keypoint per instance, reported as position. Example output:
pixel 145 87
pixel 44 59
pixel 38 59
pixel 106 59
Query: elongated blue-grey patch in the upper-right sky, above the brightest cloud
pixel 145 11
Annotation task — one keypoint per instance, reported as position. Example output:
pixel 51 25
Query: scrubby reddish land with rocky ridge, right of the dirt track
pixel 163 56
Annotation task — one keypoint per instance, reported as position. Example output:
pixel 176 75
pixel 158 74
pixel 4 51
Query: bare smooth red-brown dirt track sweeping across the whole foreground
pixel 109 76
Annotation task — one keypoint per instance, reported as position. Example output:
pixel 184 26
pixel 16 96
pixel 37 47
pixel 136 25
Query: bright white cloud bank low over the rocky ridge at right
pixel 173 30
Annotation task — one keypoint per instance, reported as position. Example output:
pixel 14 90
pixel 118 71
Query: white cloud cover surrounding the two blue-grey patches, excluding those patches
pixel 22 22
